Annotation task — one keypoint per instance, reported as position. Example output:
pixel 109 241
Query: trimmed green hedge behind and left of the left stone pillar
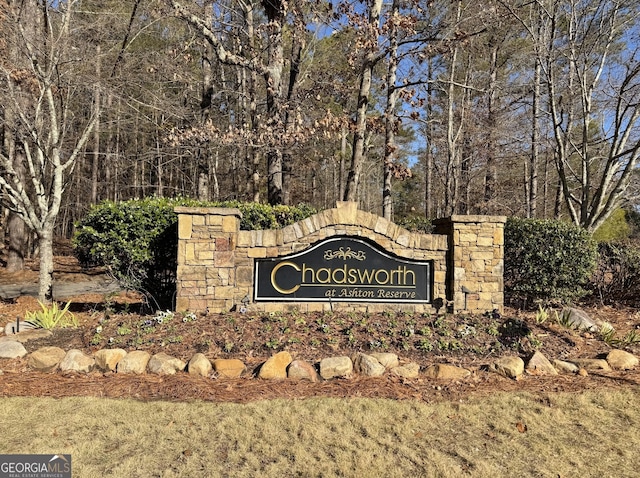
pixel 137 240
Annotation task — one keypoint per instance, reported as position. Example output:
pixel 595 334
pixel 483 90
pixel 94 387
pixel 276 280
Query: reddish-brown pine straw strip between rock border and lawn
pixel 183 387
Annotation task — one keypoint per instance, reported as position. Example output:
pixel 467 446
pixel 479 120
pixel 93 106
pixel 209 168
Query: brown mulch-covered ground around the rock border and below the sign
pixel 116 320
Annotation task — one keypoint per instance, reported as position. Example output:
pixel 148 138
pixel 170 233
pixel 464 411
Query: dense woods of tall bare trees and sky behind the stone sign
pixel 414 109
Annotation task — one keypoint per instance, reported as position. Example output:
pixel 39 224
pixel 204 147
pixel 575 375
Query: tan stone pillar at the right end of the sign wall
pixel 475 262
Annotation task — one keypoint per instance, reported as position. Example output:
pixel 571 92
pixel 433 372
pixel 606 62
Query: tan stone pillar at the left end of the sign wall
pixel 206 275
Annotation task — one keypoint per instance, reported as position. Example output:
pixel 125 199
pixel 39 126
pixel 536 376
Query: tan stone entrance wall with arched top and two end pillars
pixel 216 259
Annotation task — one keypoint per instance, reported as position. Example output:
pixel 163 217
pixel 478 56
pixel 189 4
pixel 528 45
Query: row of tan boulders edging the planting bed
pixel 283 366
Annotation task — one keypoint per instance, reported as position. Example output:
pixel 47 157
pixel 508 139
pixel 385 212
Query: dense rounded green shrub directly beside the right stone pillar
pixel 546 260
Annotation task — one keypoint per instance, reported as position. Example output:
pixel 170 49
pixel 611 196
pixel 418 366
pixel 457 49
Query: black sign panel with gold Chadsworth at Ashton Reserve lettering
pixel 344 269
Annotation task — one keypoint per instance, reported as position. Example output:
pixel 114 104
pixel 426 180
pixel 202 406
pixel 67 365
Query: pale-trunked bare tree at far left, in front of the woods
pixel 42 124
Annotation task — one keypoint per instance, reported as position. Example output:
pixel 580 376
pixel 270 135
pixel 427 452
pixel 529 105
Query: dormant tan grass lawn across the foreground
pixel 506 435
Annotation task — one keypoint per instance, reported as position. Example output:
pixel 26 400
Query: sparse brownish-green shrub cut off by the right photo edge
pixel 617 276
